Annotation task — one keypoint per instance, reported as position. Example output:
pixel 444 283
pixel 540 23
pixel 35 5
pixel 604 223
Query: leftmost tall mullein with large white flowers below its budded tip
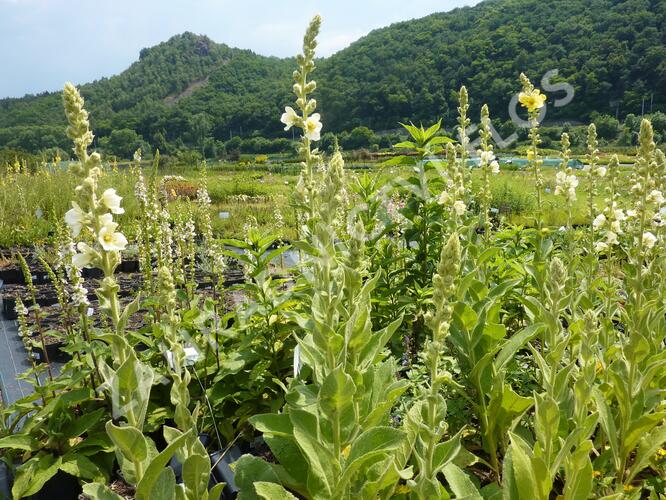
pixel 127 381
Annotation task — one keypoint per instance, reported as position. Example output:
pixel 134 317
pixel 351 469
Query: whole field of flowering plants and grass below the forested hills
pixel 420 329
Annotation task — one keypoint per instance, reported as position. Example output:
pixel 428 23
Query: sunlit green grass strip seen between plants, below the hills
pixel 249 193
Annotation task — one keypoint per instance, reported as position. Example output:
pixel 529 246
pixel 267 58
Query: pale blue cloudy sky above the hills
pixel 44 43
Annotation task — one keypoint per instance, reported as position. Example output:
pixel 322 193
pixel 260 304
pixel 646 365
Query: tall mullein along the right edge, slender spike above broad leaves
pixel 630 402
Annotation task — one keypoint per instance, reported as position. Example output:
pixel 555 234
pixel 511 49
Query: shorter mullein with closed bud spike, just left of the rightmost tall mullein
pixel 530 471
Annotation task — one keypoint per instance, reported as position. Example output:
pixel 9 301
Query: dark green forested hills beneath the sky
pixel 190 89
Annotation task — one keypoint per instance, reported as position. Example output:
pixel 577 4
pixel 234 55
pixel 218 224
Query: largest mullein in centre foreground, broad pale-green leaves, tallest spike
pixel 332 439
